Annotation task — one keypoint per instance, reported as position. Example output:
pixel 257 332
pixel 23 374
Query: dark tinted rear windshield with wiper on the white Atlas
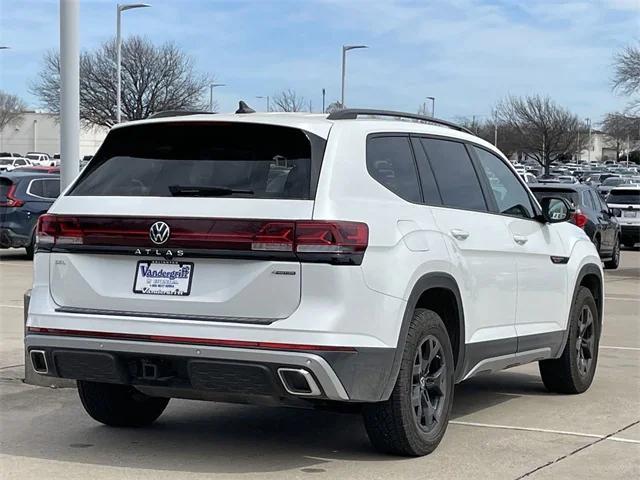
pixel 205 160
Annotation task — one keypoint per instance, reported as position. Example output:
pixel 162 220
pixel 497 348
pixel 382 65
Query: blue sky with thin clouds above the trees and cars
pixel 466 53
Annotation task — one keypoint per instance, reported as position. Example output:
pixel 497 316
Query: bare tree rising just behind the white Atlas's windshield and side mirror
pixel 542 129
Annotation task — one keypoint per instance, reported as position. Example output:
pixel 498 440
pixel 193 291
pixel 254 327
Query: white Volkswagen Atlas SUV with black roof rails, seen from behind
pixel 368 257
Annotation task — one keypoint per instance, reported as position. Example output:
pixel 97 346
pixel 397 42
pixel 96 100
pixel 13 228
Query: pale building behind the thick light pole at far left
pixel 40 132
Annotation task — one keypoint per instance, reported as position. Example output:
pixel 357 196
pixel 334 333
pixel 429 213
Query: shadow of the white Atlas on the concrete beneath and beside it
pixel 203 437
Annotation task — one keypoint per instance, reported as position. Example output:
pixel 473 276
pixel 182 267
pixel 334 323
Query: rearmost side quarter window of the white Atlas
pixel 390 162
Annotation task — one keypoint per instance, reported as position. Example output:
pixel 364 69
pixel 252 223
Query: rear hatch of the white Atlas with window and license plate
pixel 185 220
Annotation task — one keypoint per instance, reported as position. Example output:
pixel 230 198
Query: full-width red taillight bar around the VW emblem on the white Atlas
pixel 307 240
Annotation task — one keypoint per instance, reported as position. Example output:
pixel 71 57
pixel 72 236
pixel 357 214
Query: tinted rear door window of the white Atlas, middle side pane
pixel 454 173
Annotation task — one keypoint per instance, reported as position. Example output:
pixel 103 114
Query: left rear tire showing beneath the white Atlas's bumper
pixel 119 405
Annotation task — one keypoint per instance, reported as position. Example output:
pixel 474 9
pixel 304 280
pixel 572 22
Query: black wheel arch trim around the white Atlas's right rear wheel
pixel 438 291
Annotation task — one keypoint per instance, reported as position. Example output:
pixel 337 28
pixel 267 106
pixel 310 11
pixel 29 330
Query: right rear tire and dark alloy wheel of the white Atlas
pixel 414 418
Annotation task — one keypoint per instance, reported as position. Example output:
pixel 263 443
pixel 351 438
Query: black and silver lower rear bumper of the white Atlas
pixel 241 375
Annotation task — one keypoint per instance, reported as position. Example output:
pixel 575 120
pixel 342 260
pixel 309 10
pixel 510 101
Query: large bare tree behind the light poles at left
pixel 154 78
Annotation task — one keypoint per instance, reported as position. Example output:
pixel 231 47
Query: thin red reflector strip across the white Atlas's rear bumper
pixel 211 342
